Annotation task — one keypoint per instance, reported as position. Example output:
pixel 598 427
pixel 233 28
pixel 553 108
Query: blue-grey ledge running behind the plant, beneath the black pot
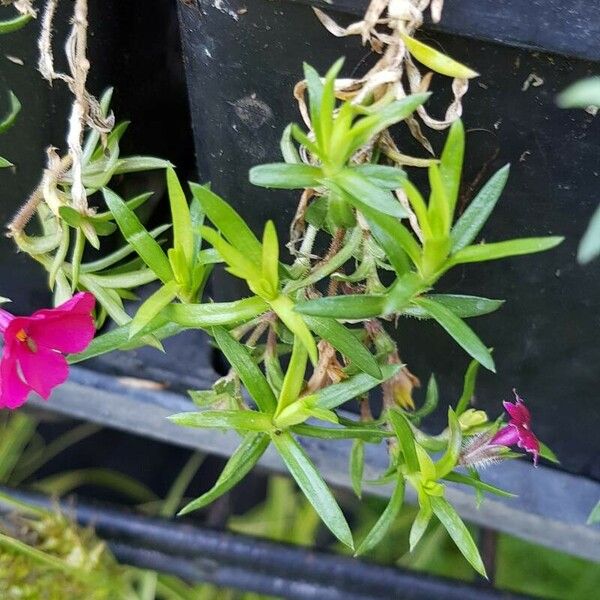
pixel 550 508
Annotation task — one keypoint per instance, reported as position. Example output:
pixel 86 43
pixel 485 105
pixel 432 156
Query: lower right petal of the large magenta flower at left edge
pixel 43 370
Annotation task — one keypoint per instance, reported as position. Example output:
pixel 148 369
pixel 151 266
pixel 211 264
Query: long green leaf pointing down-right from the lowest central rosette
pixel 312 485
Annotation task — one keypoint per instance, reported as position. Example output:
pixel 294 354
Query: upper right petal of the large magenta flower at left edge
pixel 66 332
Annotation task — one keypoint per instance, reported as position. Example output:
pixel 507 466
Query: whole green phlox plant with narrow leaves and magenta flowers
pixel 311 334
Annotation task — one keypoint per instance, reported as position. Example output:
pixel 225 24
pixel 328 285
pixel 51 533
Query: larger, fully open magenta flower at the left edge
pixel 33 347
